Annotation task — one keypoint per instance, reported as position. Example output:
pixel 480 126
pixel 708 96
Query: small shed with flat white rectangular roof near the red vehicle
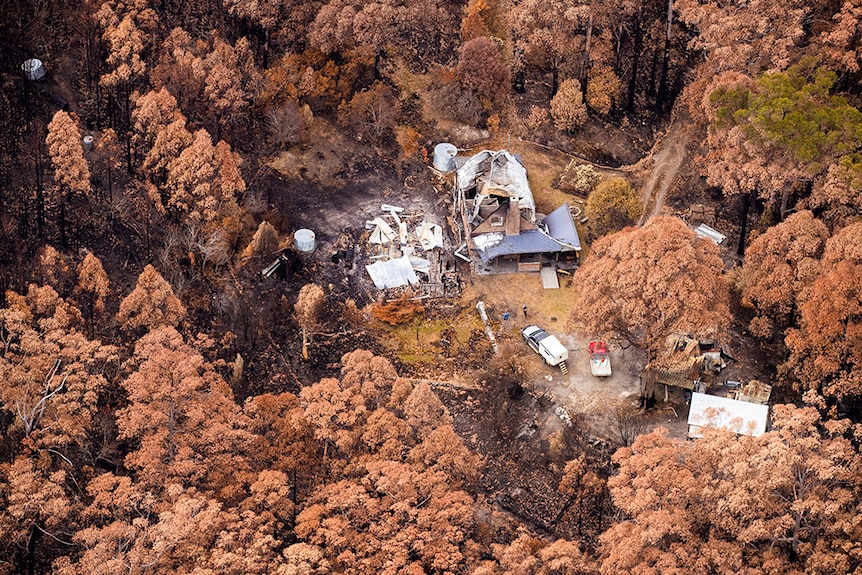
pixel 740 417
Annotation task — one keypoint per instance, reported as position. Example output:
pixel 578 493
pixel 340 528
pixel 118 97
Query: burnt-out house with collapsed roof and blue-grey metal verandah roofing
pixel 503 231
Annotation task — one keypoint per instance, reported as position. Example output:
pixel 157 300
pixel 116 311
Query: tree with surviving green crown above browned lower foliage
pixel 781 127
